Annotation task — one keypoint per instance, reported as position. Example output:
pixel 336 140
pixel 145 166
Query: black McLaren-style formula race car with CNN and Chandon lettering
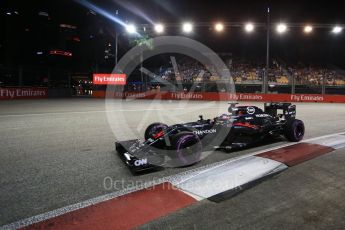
pixel 182 144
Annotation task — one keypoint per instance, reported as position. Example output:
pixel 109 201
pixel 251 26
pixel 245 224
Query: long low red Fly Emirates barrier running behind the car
pixel 213 96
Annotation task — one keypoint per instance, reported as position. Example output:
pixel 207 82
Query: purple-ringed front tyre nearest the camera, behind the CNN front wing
pixel 188 149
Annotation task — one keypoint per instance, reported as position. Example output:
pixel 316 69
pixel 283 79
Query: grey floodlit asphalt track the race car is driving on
pixel 59 152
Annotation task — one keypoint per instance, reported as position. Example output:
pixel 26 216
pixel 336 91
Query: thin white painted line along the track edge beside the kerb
pixel 173 179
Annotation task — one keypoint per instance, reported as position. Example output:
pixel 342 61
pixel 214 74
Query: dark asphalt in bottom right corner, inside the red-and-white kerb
pixel 306 196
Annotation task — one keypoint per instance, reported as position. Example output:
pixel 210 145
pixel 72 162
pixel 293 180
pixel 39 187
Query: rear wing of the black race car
pixel 288 110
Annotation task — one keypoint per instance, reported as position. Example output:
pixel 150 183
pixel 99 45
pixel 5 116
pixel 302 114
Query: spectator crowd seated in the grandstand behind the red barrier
pixel 243 71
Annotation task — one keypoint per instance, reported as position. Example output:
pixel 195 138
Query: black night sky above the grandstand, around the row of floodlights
pixel 294 46
